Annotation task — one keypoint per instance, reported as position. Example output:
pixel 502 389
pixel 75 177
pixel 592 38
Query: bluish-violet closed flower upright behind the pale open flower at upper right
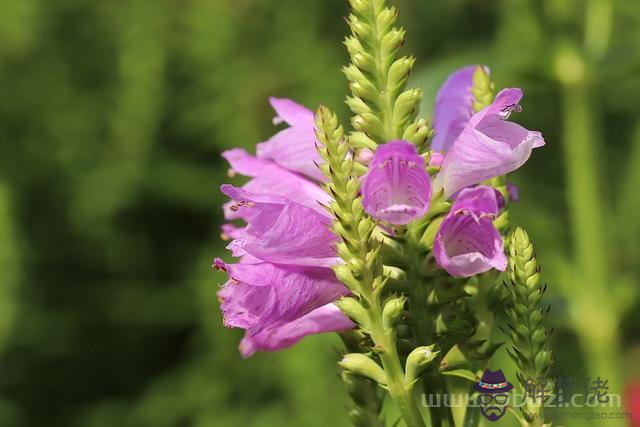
pixel 454 108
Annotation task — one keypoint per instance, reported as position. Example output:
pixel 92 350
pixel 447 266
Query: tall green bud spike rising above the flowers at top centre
pixel 378 76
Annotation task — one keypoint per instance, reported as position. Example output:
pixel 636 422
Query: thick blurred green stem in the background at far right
pixel 594 315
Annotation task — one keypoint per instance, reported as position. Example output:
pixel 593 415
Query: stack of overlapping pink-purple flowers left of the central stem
pixel 282 287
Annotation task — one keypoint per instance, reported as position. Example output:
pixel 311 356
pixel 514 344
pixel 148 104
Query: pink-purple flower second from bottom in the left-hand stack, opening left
pixel 261 296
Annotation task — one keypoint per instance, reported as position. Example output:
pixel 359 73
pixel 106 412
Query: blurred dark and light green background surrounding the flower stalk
pixel 113 115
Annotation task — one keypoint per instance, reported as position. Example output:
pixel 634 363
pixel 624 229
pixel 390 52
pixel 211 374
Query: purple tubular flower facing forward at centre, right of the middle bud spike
pixel 397 187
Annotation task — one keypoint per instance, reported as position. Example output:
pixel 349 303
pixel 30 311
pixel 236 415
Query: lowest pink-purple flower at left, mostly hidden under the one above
pixel 327 318
